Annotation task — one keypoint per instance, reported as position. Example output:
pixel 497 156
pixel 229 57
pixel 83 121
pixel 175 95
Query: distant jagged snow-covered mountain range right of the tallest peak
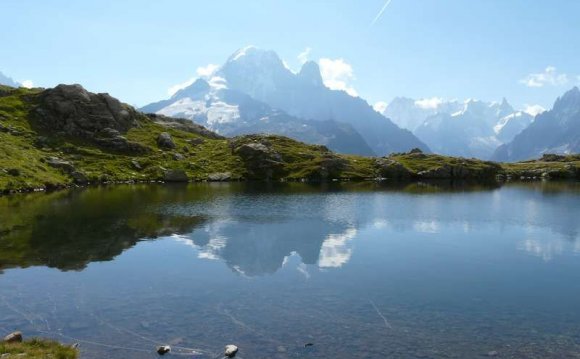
pixel 470 129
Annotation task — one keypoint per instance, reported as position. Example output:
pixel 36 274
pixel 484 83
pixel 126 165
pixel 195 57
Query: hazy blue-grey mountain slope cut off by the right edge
pixel 555 131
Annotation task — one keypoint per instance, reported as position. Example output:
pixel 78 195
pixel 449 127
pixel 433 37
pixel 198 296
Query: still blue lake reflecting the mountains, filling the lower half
pixel 358 270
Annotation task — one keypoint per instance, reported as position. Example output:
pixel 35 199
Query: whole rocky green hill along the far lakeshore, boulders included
pixel 67 136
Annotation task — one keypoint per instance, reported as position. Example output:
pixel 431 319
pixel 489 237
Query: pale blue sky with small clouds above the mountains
pixel 525 50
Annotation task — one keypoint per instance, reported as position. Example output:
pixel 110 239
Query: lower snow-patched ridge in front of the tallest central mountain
pixel 232 113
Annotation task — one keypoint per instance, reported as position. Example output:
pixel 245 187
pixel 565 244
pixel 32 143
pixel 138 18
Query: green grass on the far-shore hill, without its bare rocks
pixel 22 162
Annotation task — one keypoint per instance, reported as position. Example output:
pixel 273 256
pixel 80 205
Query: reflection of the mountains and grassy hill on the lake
pixel 69 229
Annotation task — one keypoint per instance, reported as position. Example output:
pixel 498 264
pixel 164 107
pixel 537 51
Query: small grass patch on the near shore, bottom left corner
pixel 38 349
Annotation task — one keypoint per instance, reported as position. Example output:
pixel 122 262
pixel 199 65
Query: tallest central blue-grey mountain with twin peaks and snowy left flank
pixel 299 100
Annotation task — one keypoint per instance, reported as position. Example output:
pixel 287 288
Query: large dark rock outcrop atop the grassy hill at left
pixel 73 111
